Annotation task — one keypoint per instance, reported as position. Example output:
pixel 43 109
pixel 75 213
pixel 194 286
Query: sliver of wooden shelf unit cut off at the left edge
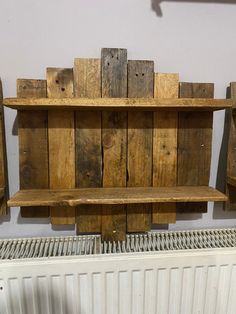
pixel 4 192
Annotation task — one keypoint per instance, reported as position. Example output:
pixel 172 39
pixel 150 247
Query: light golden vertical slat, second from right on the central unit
pixel 165 126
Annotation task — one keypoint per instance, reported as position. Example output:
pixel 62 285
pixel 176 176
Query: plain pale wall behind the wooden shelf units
pixel 196 39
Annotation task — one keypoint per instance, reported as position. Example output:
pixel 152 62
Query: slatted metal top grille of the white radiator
pixel 92 244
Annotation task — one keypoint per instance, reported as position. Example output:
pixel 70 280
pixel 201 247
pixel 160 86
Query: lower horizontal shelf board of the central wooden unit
pixel 74 197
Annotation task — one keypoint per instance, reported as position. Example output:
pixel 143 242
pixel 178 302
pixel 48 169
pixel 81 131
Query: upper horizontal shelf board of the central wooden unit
pixel 147 104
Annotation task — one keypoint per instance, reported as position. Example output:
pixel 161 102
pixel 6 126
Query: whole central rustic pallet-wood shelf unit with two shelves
pixel 114 147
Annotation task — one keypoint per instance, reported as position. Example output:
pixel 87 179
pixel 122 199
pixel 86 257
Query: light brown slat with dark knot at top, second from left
pixel 61 142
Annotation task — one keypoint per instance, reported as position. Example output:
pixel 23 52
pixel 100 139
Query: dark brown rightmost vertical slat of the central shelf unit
pixel 194 143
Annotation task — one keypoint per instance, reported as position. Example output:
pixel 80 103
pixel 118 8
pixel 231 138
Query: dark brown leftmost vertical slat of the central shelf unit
pixel 33 144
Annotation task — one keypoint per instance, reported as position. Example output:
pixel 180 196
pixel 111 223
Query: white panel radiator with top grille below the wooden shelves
pixel 177 272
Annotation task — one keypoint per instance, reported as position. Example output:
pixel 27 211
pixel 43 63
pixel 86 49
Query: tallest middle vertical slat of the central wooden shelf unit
pixel 114 140
